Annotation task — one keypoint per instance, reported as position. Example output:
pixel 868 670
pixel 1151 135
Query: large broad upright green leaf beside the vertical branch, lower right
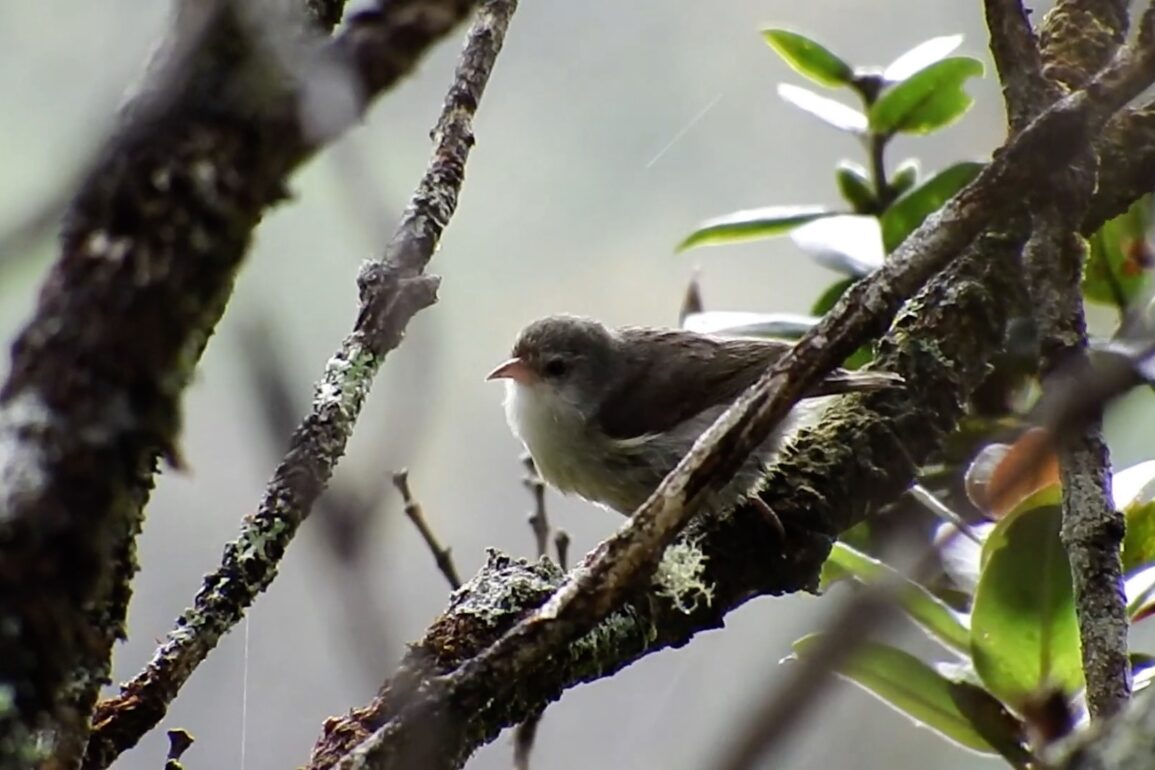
pixel 1024 631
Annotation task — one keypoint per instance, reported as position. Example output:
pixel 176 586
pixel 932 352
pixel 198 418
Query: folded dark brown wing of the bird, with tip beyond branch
pixel 675 375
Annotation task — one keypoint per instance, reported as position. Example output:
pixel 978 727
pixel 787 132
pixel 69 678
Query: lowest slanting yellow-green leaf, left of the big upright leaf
pixel 906 684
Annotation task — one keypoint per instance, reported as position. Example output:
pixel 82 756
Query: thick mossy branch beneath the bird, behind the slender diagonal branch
pixel 832 479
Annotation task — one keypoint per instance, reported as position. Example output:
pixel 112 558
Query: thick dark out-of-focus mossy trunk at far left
pixel 150 253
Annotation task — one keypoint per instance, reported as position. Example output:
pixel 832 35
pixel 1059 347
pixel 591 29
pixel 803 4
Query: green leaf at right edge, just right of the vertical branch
pixel 1119 257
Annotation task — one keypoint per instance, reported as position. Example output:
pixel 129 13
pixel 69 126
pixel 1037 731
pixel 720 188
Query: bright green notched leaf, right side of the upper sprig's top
pixel 929 100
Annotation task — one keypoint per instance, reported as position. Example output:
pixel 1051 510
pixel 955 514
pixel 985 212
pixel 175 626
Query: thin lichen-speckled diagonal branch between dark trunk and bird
pixel 393 290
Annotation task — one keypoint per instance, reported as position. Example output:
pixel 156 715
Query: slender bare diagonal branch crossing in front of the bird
pixel 435 721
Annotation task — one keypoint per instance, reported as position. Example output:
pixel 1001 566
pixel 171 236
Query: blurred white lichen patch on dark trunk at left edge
pixel 24 475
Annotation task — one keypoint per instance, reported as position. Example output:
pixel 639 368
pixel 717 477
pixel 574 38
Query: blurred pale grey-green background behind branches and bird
pixel 609 130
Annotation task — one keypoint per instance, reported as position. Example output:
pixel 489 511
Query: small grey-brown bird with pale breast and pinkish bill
pixel 607 414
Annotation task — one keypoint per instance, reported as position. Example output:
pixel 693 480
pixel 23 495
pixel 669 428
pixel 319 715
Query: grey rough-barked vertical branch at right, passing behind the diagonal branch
pixel 1078 40
